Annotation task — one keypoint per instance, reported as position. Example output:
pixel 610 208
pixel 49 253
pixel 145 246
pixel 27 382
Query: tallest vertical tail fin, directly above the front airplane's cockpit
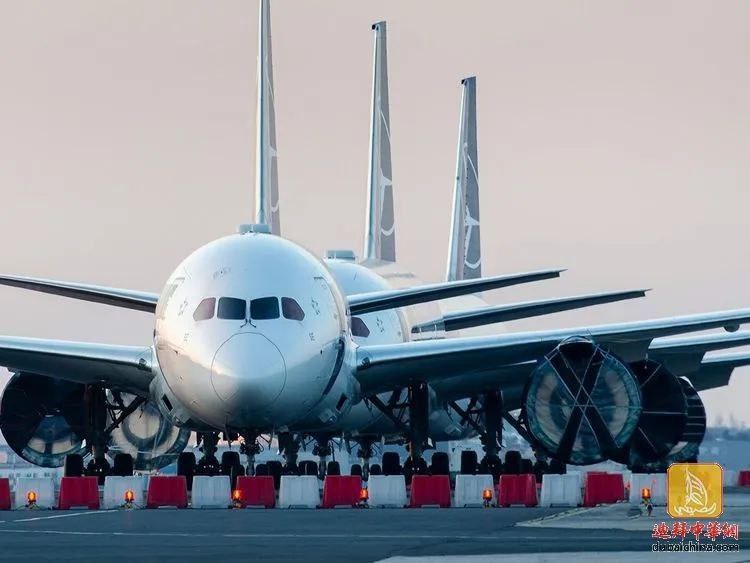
pixel 266 166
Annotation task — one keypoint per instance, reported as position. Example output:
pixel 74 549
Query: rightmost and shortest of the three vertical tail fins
pixel 464 250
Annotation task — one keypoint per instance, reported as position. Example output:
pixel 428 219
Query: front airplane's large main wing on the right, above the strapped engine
pixel 389 366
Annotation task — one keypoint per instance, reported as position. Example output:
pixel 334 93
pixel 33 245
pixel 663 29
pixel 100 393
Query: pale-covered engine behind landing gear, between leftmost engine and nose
pixel 151 440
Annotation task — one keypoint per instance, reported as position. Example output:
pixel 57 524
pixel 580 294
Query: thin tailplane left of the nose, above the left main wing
pixel 126 298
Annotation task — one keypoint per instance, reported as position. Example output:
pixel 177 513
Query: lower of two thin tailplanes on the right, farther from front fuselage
pixel 460 320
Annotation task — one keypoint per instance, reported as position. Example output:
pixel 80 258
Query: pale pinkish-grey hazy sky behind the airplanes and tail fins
pixel 613 141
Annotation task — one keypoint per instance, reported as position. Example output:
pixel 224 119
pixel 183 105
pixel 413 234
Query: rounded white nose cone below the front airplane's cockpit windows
pixel 248 371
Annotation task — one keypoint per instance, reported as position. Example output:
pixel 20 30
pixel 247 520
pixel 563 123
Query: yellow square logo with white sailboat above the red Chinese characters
pixel 694 490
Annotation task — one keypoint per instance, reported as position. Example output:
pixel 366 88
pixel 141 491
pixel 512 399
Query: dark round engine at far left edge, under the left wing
pixel 43 419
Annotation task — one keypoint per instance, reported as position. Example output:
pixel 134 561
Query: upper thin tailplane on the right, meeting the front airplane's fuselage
pixel 393 298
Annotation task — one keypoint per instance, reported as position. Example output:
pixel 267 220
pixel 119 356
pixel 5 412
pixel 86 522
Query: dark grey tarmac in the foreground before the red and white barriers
pixel 350 535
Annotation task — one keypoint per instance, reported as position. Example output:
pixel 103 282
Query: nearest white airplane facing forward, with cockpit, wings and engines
pixel 253 334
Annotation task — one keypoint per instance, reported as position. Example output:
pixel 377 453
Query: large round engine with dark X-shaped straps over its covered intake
pixel 581 403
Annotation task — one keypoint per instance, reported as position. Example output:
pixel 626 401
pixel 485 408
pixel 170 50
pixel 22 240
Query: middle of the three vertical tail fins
pixel 380 232
